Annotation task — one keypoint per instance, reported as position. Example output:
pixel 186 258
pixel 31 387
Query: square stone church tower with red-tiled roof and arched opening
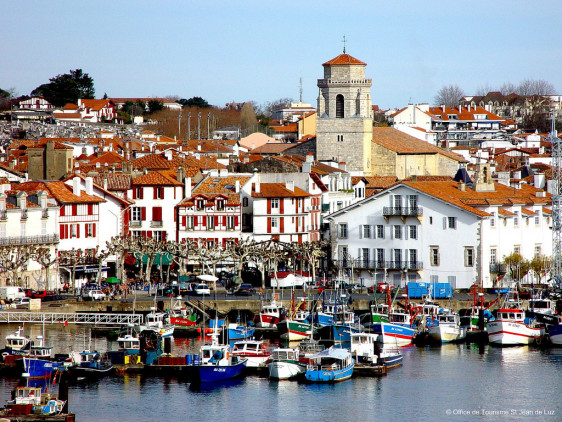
pixel 344 128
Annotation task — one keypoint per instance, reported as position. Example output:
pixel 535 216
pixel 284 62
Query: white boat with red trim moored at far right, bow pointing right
pixel 512 329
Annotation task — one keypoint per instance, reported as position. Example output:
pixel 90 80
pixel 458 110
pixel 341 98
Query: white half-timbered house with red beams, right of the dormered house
pixel 281 211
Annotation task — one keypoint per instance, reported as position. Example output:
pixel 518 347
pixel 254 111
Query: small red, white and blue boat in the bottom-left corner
pixel 31 401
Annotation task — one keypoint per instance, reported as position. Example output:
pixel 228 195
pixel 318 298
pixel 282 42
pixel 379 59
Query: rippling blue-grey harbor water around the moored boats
pixel 452 382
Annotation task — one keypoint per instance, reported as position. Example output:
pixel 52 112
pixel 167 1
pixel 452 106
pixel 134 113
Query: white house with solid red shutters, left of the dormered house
pixel 155 196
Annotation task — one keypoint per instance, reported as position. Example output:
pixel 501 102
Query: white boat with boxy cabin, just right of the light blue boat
pixel 367 351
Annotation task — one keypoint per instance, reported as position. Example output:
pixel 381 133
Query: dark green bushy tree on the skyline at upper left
pixel 67 88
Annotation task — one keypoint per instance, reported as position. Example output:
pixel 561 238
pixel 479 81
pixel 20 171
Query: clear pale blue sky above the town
pixel 258 51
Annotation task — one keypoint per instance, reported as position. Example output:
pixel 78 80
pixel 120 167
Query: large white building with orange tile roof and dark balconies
pixel 434 230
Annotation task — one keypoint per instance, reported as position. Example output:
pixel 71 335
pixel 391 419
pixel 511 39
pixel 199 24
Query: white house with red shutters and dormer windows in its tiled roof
pixel 212 211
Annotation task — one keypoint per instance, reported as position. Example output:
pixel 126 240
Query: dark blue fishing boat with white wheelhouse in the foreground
pixel 217 363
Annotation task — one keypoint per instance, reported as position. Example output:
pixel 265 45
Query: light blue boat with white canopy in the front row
pixel 330 365
